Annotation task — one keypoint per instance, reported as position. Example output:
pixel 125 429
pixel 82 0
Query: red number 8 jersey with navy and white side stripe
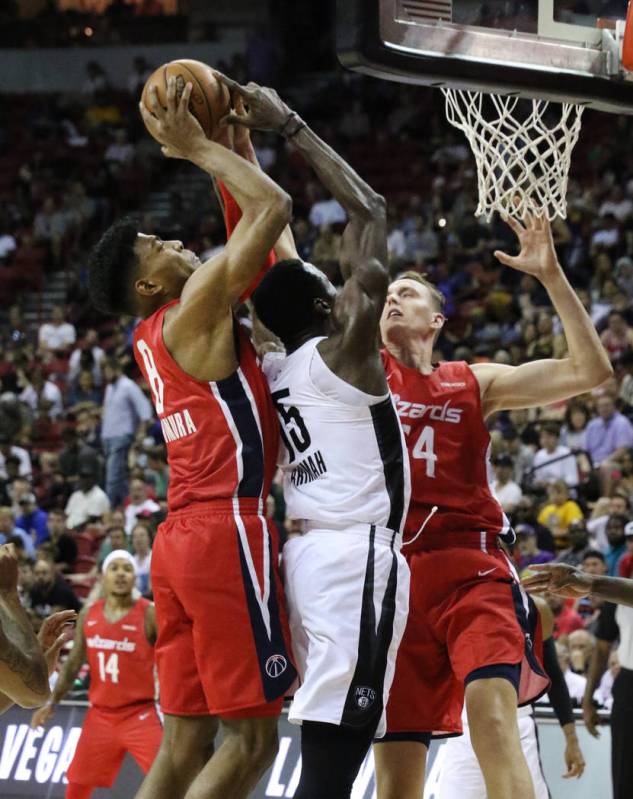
pixel 222 437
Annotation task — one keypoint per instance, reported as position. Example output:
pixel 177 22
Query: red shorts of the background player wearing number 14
pixel 105 738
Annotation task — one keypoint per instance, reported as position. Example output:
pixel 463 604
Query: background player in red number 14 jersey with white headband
pixel 116 637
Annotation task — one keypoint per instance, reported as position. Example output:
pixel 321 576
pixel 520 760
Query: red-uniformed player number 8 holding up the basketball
pixel 222 646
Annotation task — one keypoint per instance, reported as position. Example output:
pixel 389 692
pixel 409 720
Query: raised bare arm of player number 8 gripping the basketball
pixel 266 209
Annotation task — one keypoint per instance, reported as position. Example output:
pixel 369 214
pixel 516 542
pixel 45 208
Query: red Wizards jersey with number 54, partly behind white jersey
pixel 448 449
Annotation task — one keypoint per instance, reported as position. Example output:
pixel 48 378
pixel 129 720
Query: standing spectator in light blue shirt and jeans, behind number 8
pixel 125 409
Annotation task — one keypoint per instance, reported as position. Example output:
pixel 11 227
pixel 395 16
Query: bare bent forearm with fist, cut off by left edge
pixel 23 670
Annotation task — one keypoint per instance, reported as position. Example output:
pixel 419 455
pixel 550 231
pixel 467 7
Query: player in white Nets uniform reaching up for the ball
pixel 345 469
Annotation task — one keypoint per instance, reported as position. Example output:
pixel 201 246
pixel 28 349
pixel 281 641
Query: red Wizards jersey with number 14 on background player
pixel 120 658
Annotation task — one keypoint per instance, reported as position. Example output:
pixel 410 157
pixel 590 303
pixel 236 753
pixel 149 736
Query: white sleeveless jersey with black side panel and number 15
pixel 344 458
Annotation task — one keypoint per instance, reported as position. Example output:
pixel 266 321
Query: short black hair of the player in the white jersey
pixel 284 300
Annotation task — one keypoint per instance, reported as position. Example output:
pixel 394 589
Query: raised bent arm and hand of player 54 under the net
pixel 545 381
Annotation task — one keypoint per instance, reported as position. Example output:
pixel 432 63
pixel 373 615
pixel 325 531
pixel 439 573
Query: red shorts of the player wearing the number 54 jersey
pixel 467 611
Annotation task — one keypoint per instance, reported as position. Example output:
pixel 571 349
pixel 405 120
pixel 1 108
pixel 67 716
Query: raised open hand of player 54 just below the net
pixel 537 256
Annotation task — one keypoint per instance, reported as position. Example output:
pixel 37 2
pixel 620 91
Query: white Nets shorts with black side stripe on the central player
pixel 348 599
